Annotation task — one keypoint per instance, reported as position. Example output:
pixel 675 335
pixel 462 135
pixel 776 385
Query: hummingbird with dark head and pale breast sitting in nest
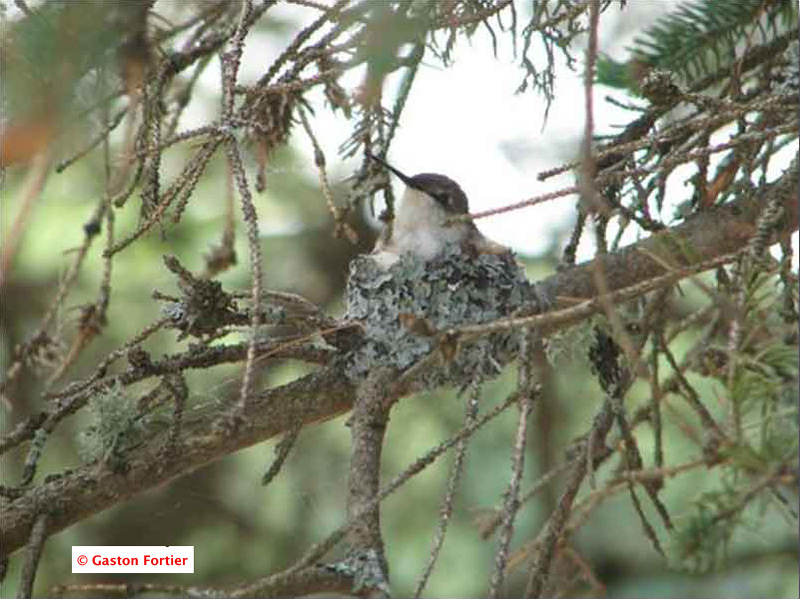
pixel 425 223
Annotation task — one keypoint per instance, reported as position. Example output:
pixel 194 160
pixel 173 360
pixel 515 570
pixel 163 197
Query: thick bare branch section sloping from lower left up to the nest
pixel 92 488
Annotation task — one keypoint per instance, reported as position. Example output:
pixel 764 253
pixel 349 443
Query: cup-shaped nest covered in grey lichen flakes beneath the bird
pixel 452 290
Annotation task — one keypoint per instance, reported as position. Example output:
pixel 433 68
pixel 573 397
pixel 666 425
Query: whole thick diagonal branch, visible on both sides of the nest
pixel 76 495
